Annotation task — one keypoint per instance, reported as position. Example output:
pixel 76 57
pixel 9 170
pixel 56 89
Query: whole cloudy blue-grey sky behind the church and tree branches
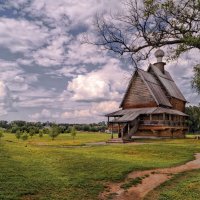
pixel 45 72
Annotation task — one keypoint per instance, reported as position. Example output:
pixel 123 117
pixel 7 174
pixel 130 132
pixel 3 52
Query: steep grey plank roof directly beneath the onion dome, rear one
pixel 168 83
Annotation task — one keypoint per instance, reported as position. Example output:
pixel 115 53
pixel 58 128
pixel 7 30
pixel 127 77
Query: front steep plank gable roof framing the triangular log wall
pixel 153 86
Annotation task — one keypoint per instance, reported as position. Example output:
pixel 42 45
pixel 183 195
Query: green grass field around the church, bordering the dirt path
pixel 43 169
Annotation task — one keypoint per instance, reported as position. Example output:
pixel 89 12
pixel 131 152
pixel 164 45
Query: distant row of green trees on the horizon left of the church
pixel 38 127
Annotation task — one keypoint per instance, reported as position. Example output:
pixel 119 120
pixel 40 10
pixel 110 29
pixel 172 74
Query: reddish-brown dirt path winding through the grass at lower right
pixel 149 180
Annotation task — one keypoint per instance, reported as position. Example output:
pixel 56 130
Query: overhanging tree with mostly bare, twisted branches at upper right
pixel 148 24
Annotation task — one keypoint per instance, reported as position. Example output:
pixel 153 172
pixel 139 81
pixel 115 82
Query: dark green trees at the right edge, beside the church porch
pixel 194 118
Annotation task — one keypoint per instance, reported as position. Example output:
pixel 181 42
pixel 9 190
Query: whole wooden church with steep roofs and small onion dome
pixel 152 105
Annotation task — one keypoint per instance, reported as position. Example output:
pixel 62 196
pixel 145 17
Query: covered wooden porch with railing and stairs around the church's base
pixel 154 123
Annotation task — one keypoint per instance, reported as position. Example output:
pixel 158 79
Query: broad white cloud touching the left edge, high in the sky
pixel 21 35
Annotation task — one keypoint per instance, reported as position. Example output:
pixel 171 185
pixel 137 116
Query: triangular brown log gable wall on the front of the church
pixel 138 95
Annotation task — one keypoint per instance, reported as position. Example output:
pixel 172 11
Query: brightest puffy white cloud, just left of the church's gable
pixel 105 83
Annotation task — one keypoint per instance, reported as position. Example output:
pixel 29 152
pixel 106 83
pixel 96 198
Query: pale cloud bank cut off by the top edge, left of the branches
pixel 75 11
